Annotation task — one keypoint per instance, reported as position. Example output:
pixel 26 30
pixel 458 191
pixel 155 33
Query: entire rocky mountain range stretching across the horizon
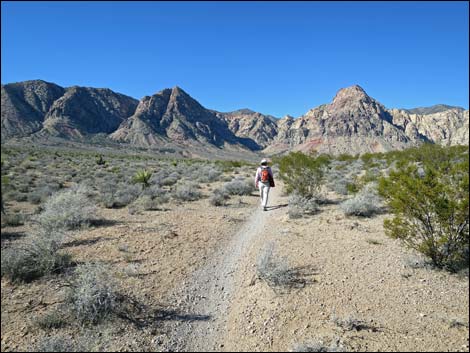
pixel 352 123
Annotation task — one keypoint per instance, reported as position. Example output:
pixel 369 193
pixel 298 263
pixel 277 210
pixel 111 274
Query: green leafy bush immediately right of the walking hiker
pixel 302 173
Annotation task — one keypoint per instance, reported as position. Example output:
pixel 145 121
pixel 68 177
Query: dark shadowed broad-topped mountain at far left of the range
pixel 48 109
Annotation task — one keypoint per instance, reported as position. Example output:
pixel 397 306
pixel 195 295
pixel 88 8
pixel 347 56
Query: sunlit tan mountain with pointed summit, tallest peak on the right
pixel 352 123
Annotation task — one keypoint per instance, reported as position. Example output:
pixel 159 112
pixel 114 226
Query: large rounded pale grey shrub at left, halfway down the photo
pixel 67 210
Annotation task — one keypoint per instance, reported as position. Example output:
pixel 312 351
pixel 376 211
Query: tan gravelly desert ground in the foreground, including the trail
pixel 201 261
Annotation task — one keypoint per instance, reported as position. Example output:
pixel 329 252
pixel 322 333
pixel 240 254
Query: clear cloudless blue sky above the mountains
pixel 274 57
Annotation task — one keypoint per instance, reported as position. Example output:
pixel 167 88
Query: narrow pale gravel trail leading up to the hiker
pixel 208 292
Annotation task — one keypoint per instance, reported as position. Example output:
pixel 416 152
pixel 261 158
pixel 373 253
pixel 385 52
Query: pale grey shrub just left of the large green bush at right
pixel 365 203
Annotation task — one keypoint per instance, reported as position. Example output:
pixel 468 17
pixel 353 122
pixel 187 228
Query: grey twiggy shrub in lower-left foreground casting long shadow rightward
pixel 93 293
